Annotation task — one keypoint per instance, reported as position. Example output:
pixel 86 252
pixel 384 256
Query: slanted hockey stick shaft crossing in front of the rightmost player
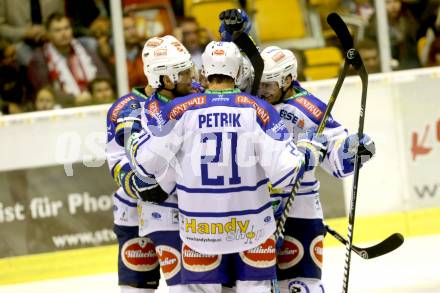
pixel 279 232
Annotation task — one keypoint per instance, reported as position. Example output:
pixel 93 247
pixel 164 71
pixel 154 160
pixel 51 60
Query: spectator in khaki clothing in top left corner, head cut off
pixel 21 22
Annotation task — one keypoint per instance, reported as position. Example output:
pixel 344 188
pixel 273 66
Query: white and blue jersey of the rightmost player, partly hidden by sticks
pixel 301 112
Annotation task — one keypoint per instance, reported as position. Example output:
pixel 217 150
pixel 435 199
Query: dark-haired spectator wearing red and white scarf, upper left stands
pixel 65 64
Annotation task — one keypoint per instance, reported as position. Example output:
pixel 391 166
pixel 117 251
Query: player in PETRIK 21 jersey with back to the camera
pixel 225 146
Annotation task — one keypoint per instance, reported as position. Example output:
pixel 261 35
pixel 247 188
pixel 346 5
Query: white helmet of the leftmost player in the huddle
pixel 164 56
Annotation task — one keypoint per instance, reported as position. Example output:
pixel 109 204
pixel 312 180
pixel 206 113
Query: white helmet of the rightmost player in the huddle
pixel 278 64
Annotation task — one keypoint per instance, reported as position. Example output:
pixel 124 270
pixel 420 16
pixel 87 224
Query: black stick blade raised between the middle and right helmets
pixel 245 43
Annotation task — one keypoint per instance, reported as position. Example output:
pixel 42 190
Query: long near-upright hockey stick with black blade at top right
pixel 338 25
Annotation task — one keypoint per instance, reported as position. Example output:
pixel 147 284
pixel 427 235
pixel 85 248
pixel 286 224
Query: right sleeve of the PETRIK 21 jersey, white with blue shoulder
pixel 279 157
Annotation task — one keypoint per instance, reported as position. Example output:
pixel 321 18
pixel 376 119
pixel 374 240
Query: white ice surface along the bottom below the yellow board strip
pixel 414 267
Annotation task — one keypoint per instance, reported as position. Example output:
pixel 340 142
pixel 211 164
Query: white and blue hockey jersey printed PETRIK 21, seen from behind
pixel 225 147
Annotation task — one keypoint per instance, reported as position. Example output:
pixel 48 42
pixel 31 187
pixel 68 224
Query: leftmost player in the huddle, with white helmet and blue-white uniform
pixel 138 265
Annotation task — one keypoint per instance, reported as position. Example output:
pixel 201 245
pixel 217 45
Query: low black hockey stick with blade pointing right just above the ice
pixel 387 245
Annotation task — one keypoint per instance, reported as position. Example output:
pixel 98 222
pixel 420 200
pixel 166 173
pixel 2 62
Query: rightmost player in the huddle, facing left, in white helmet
pixel 300 257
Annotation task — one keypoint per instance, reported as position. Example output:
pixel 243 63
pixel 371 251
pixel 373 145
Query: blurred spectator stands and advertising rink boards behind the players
pixel 55 189
